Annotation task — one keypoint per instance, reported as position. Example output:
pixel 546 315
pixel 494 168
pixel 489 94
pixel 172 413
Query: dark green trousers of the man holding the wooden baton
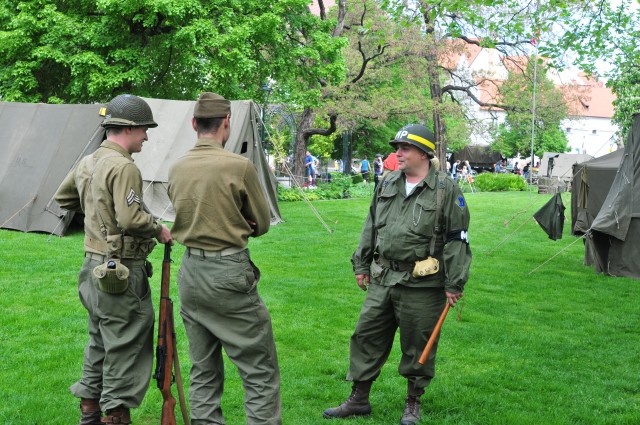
pixel 415 312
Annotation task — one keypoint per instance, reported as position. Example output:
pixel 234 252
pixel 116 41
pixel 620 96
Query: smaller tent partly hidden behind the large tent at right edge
pixel 591 183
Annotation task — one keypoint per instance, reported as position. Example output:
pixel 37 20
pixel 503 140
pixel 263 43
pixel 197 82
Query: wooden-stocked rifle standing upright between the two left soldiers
pixel 166 351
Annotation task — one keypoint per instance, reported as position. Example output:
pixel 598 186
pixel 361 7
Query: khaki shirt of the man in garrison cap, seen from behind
pixel 215 193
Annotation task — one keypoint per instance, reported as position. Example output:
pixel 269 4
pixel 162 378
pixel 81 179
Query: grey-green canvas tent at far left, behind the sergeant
pixel 40 143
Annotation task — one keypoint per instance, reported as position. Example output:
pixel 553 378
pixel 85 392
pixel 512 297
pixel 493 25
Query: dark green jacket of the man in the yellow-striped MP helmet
pixel 400 228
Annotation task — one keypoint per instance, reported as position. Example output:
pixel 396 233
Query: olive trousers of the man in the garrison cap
pixel 221 308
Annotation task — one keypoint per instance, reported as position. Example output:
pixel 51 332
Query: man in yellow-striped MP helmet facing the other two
pixel 412 258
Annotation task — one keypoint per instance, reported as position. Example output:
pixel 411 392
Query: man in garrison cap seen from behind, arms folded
pixel 219 204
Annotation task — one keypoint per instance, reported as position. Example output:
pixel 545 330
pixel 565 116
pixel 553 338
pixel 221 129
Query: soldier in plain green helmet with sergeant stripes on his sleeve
pixel 113 284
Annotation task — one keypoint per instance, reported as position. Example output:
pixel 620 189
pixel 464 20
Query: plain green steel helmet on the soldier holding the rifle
pixel 128 110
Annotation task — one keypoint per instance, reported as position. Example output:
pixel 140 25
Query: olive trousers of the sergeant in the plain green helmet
pixel 119 356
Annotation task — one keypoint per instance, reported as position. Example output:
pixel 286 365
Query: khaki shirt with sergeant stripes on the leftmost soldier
pixel 107 187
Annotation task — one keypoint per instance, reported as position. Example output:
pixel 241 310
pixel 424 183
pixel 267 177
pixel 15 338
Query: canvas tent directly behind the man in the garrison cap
pixel 174 136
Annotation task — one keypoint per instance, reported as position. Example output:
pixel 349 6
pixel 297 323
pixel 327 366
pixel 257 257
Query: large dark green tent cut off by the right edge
pixel 613 245
